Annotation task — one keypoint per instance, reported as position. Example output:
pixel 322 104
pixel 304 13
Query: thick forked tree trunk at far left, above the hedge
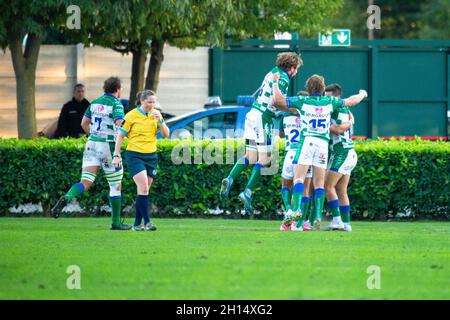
pixel 24 64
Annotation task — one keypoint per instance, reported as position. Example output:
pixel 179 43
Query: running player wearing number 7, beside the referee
pixel 101 120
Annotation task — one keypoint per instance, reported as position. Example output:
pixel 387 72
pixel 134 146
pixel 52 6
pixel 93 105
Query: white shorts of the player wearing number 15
pixel 313 152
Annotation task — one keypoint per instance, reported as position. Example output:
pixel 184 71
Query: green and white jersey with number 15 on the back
pixel 315 113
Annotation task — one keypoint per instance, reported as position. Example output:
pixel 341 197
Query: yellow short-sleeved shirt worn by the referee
pixel 141 129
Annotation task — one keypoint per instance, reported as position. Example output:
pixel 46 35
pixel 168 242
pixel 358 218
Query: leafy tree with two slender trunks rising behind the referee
pixel 188 23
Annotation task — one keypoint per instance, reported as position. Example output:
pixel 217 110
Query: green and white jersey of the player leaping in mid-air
pixel 263 101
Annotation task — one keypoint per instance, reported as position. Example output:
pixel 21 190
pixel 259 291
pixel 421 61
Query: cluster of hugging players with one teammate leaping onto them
pixel 320 155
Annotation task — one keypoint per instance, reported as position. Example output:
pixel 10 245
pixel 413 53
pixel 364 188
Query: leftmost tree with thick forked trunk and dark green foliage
pixel 23 26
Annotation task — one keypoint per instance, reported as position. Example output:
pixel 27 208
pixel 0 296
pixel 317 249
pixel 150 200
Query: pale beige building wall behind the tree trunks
pixel 183 83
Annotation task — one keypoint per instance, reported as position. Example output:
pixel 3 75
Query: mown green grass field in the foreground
pixel 222 259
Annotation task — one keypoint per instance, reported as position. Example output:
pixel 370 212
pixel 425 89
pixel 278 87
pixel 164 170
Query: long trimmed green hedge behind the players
pixel 392 177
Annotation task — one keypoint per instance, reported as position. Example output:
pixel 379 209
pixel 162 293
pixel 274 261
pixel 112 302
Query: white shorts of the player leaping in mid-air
pixel 258 130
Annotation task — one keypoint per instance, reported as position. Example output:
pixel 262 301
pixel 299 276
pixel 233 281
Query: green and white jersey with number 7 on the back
pixel 103 112
